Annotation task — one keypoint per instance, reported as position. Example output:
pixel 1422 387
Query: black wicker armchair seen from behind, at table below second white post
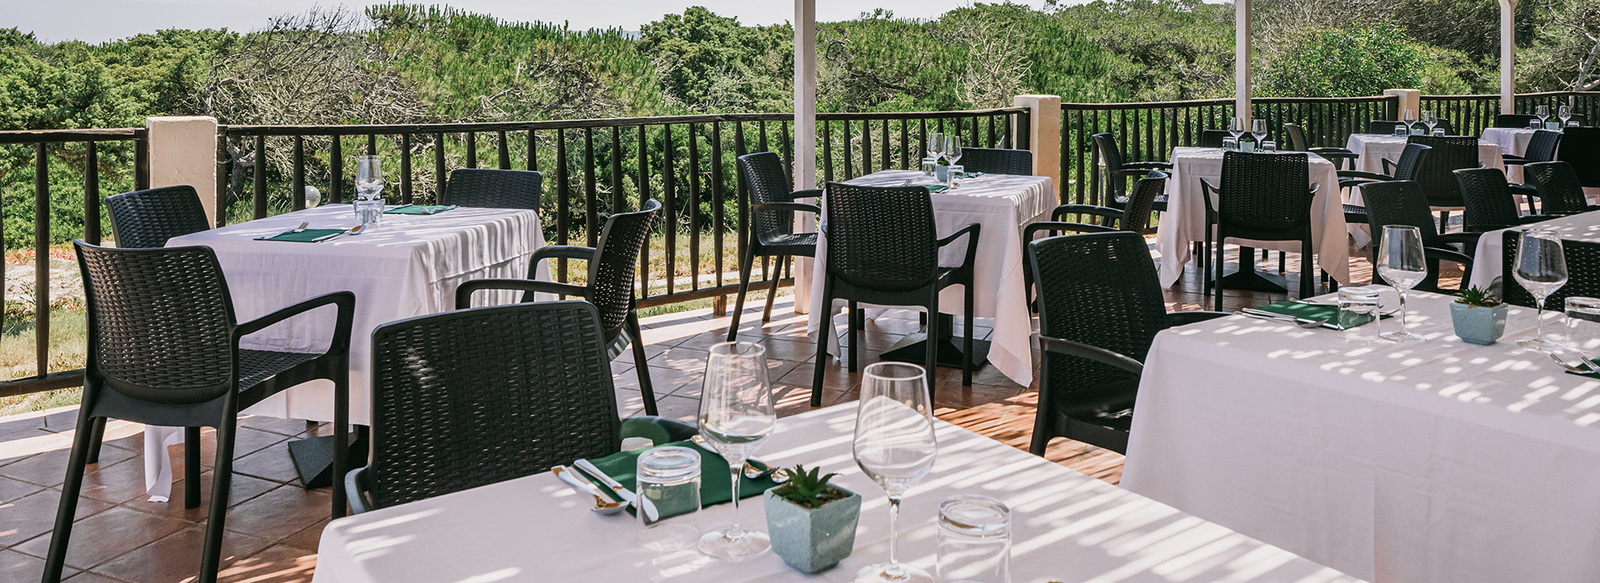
pixel 1262 198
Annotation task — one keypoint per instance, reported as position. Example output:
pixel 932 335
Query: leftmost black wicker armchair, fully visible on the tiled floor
pixel 164 350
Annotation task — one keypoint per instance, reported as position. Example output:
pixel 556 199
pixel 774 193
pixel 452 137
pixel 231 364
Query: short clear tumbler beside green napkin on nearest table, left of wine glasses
pixel 670 480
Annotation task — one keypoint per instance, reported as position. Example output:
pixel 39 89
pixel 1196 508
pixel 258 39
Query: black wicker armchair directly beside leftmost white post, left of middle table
pixel 772 203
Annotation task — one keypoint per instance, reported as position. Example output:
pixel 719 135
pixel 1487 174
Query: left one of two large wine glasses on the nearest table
pixel 737 416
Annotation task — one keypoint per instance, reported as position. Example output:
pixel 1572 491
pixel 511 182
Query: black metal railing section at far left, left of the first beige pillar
pixel 103 161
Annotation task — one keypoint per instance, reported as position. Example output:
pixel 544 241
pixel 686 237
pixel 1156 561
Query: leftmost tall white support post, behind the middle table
pixel 806 131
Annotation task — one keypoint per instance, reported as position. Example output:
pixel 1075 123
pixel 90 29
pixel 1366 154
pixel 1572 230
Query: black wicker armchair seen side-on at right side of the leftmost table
pixel 610 286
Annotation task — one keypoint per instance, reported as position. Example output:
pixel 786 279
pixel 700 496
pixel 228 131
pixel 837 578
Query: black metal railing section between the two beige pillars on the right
pixel 1151 131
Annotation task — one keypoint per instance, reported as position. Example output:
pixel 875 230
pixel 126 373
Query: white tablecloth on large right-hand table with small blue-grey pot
pixel 1436 462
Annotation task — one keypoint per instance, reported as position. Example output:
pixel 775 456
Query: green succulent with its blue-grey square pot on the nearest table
pixel 812 525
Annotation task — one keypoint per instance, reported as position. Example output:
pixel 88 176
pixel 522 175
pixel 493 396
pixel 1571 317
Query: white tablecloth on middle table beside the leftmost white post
pixel 1004 204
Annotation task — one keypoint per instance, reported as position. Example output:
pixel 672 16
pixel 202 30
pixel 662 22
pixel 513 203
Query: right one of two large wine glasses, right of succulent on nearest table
pixel 895 446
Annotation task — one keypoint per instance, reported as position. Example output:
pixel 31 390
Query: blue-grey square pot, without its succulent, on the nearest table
pixel 812 539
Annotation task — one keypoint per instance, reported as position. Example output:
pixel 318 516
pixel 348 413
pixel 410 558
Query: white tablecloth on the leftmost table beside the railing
pixel 407 267
